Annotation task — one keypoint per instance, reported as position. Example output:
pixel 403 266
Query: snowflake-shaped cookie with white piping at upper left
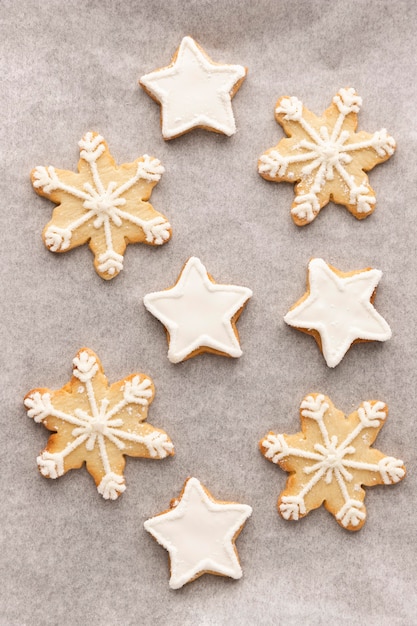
pixel 103 204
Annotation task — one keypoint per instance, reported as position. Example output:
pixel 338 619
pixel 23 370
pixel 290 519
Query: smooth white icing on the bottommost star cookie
pixel 199 535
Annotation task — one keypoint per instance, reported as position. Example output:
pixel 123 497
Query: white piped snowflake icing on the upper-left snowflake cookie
pixel 102 204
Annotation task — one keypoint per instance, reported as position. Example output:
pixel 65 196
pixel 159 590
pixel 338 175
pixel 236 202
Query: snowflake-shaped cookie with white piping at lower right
pixel 331 459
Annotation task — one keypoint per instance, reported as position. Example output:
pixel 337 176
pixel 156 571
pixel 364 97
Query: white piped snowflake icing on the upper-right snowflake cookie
pixel 325 154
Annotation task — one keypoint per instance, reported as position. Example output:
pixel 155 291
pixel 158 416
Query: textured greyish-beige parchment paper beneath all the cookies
pixel 66 556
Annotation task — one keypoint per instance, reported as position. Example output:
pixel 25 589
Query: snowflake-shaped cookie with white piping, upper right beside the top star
pixel 325 156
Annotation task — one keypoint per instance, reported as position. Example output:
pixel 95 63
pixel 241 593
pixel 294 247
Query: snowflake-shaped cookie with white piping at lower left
pixel 97 424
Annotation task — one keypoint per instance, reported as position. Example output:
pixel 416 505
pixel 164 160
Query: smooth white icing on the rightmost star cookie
pixel 339 309
